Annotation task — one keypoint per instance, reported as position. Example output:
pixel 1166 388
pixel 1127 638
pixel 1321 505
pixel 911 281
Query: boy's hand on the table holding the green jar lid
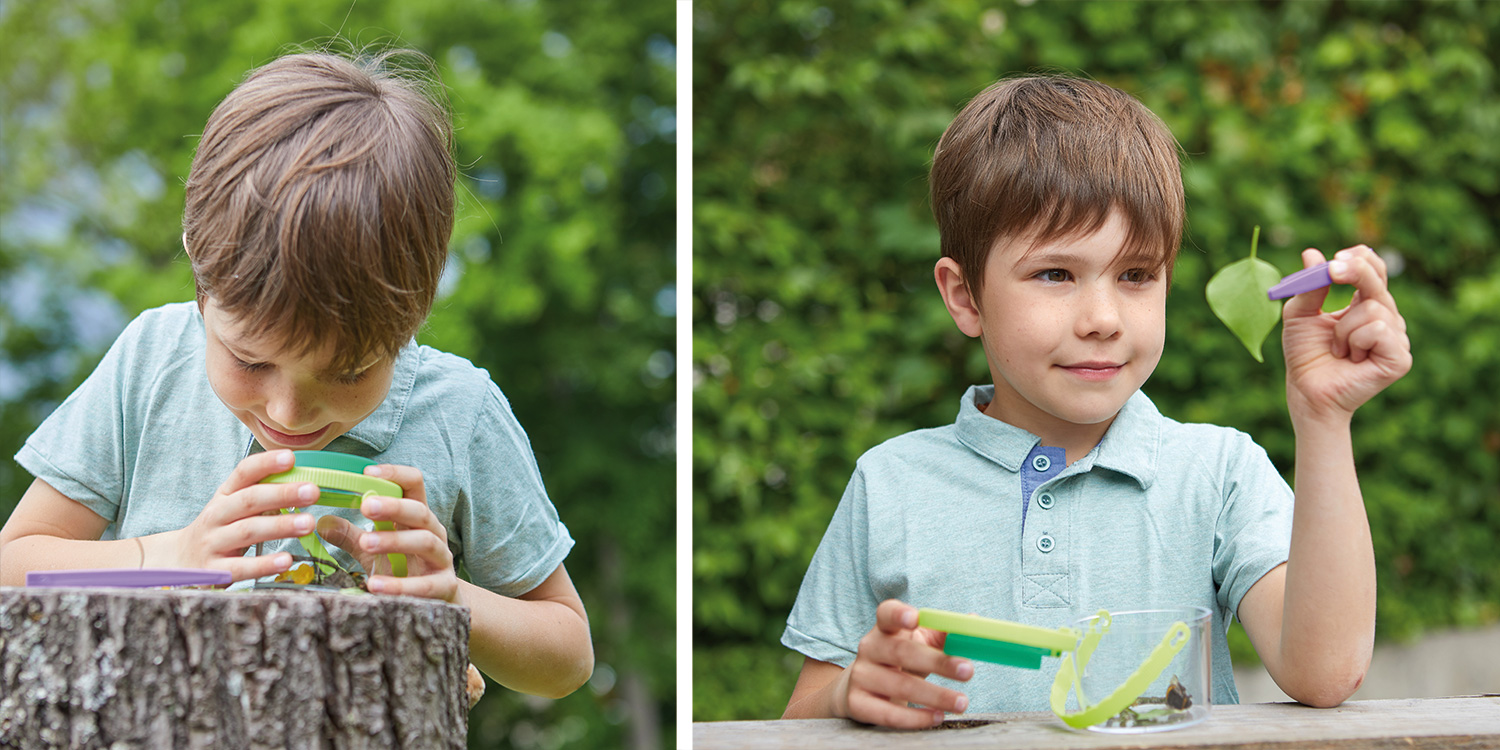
pixel 892 671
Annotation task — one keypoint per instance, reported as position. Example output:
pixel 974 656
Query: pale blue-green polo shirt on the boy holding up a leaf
pixel 977 517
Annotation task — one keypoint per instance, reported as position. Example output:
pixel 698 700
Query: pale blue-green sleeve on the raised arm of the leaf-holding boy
pixel 1253 533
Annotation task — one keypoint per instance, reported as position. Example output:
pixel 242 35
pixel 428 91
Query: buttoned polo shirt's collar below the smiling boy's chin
pixel 1129 448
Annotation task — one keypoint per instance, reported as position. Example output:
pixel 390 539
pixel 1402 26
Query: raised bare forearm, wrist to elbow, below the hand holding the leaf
pixel 1330 608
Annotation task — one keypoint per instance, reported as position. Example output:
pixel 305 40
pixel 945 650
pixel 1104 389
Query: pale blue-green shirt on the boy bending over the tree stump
pixel 145 443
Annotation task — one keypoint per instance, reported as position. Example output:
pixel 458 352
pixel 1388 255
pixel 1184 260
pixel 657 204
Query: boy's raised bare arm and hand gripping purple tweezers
pixel 1313 619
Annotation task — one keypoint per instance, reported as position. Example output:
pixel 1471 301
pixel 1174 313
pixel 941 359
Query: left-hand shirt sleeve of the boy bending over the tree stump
pixel 80 448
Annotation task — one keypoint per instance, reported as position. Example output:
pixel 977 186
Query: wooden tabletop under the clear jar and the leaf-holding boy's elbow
pixel 1468 722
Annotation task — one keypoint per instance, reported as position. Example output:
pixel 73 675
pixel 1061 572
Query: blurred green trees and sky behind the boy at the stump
pixel 560 280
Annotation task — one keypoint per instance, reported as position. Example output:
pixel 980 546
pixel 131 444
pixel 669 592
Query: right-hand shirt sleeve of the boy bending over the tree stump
pixel 511 532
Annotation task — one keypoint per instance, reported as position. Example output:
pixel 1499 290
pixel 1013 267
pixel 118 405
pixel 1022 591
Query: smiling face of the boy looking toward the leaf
pixel 1070 332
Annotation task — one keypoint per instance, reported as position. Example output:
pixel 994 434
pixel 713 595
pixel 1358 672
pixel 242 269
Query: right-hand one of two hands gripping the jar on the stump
pixel 418 535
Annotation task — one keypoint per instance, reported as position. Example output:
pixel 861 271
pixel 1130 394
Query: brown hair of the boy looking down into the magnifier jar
pixel 320 203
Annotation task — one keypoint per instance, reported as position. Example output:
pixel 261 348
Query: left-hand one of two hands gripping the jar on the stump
pixel 242 514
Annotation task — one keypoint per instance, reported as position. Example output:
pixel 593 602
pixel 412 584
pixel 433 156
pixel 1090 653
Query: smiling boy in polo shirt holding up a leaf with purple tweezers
pixel 1061 490
